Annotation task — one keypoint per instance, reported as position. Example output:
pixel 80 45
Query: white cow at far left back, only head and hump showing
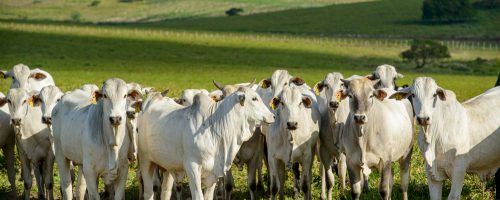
pixel 31 80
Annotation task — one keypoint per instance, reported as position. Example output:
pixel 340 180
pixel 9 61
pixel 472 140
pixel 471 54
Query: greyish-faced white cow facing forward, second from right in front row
pixel 377 132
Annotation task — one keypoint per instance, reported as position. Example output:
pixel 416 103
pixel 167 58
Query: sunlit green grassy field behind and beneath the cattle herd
pixel 75 55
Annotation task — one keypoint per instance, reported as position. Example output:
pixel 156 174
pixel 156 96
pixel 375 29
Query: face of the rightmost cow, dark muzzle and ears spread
pixel 425 95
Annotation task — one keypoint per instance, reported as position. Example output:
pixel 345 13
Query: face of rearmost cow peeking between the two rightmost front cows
pixel 387 75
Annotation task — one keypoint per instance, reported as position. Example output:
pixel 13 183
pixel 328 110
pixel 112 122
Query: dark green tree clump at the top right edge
pixel 447 11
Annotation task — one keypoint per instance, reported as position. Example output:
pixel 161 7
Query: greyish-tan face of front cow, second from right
pixel 362 94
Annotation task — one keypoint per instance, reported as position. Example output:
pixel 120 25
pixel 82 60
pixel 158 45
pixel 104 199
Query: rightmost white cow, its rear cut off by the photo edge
pixel 455 137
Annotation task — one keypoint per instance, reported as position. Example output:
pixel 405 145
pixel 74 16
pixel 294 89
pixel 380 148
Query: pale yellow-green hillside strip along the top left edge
pixel 143 10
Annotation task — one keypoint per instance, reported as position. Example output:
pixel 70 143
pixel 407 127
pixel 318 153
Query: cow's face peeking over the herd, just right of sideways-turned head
pixel 279 80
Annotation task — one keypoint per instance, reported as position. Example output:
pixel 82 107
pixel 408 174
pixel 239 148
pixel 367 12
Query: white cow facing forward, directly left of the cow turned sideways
pixel 94 136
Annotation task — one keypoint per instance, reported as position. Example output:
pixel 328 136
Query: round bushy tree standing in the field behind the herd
pixel 423 52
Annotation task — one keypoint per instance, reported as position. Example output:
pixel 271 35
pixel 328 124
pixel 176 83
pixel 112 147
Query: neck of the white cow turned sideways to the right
pixel 228 124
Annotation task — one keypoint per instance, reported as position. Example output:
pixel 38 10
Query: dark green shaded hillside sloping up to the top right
pixel 385 18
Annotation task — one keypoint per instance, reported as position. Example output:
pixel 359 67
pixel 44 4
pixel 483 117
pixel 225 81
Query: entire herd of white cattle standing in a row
pixel 352 124
